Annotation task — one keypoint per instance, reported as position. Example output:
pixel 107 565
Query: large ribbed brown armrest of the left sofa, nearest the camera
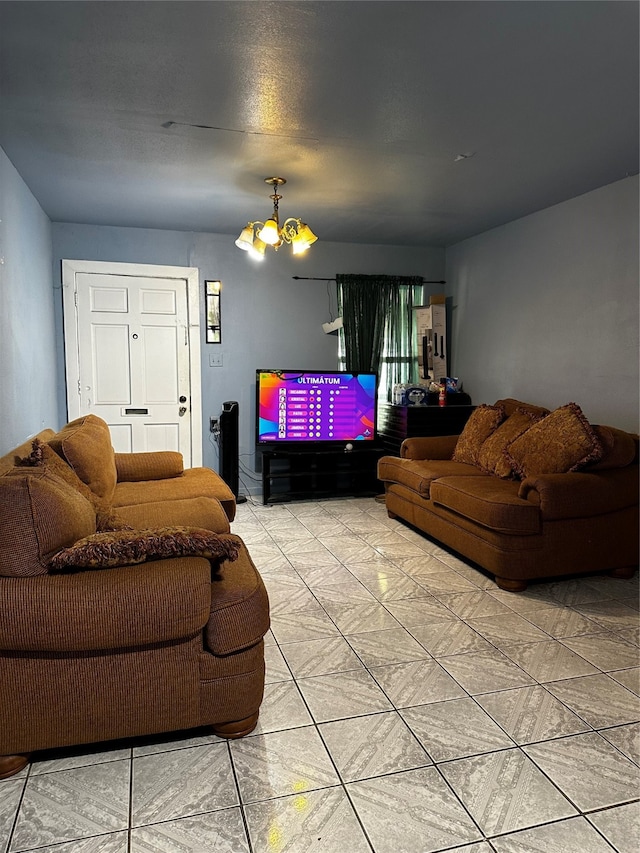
pixel 104 609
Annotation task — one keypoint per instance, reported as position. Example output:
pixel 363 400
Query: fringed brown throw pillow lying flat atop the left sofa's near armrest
pixel 124 547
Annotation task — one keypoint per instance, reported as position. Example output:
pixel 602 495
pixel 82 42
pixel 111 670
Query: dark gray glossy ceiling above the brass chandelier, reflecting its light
pixel 406 123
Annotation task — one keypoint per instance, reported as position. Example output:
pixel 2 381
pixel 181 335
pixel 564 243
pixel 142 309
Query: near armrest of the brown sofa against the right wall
pixel 581 494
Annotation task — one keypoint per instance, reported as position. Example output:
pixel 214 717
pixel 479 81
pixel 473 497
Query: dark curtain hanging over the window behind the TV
pixel 377 319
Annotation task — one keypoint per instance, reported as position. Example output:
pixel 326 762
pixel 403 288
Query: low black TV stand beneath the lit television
pixel 307 473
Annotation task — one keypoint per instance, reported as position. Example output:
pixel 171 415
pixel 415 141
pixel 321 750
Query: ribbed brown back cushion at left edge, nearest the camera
pixel 39 515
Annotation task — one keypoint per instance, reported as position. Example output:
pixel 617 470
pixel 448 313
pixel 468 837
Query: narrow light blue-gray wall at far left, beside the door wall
pixel 27 339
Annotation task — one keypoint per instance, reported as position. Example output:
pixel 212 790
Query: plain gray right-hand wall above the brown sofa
pixel 545 309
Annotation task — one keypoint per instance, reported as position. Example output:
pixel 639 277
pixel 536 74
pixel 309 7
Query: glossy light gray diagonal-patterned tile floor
pixel 410 707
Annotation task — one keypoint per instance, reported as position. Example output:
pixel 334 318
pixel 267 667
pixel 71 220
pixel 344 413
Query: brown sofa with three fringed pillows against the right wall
pixel 479 494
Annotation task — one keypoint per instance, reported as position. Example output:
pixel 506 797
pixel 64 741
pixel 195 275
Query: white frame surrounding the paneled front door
pixel 70 268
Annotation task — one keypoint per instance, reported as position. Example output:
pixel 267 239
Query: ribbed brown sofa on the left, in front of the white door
pixel 96 645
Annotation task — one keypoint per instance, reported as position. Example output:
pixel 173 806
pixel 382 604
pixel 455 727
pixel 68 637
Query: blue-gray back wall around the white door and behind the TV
pixel 268 319
